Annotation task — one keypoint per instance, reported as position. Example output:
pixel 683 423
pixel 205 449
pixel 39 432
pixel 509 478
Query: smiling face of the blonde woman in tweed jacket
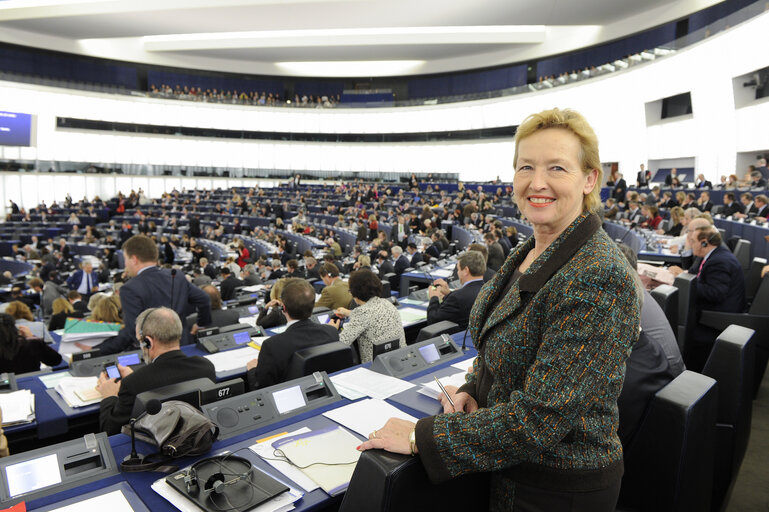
pixel 549 183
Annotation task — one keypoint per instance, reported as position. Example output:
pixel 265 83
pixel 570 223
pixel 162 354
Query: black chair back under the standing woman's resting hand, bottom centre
pixel 389 482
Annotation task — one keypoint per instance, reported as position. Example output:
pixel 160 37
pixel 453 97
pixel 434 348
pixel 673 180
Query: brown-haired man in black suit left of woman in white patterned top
pixel 275 355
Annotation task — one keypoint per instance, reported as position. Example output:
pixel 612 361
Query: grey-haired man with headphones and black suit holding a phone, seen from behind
pixel 160 331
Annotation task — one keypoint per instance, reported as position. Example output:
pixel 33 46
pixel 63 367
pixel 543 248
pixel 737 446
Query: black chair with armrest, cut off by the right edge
pixel 757 319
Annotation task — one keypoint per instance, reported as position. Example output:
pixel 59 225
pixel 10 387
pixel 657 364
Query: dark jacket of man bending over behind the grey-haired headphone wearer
pixel 151 289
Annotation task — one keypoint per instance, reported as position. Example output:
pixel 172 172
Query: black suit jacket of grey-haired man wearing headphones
pixel 170 368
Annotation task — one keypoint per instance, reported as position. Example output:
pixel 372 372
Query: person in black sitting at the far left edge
pixel 19 351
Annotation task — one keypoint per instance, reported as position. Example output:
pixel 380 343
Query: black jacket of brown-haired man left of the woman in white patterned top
pixel 276 352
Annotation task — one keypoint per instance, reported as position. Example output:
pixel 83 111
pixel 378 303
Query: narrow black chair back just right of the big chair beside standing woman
pixel 731 364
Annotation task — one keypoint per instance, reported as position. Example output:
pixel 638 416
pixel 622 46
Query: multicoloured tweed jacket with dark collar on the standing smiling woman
pixel 551 365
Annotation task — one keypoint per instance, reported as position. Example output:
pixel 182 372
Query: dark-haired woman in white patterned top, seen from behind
pixel 374 321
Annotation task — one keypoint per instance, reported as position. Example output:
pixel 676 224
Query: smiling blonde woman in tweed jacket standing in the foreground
pixel 553 329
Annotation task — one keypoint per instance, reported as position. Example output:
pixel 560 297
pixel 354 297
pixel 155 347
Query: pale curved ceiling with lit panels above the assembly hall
pixel 382 37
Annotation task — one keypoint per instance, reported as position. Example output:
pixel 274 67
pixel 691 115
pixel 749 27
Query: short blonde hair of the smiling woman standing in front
pixel 575 123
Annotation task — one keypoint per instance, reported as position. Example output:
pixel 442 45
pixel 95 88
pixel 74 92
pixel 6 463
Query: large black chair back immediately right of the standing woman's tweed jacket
pixel 669 465
